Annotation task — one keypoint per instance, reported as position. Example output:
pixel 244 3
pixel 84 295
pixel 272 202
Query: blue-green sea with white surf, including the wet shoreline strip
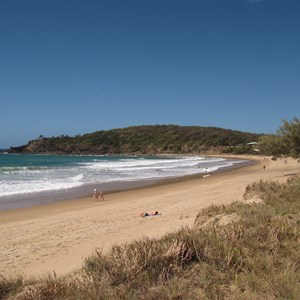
pixel 27 180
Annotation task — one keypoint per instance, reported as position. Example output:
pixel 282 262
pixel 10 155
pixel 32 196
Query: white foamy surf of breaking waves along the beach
pixel 22 180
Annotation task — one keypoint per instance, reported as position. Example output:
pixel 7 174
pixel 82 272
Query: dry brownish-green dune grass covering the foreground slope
pixel 254 256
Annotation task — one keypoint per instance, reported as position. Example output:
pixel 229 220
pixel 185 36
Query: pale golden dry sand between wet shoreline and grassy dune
pixel 57 237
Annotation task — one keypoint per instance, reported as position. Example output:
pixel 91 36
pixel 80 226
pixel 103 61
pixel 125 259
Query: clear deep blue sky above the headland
pixel 78 66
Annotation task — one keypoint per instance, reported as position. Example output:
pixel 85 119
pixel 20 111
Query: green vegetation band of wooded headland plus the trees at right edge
pixel 170 139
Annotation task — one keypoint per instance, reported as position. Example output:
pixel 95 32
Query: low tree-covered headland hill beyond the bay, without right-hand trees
pixel 154 139
